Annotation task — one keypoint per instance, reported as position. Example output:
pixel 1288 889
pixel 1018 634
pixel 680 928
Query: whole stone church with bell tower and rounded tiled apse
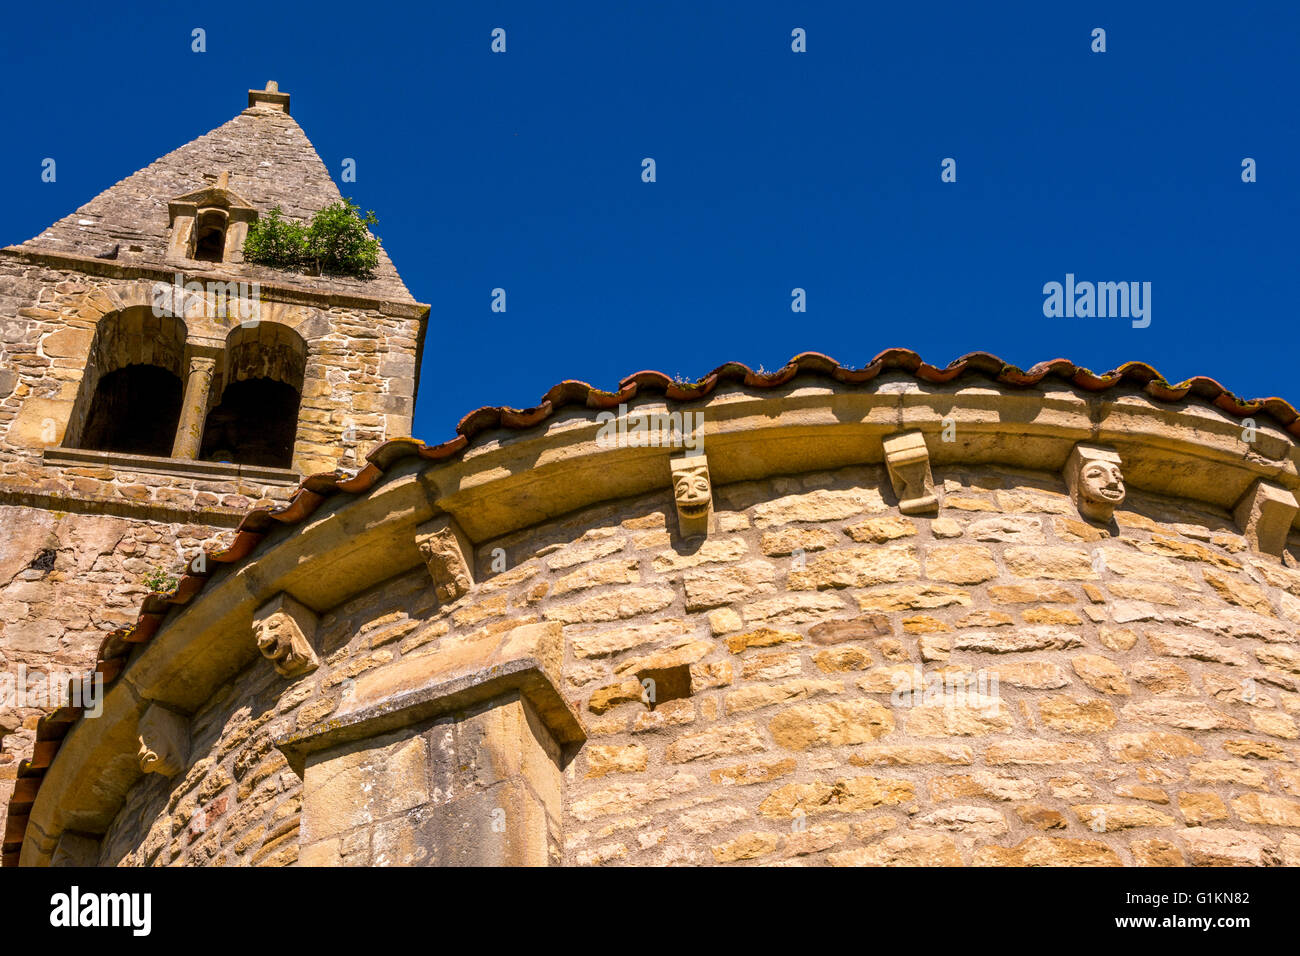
pixel 827 616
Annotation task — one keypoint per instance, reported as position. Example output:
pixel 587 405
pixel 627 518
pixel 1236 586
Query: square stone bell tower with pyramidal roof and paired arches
pixel 155 387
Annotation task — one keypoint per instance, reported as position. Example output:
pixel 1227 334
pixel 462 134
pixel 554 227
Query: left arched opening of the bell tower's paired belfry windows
pixel 132 391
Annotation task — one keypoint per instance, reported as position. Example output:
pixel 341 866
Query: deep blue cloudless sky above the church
pixel 774 171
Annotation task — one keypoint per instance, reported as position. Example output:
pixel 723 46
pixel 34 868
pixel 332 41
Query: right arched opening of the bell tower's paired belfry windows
pixel 257 419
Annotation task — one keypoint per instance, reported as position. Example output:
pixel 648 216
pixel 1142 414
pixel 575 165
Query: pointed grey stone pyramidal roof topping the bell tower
pixel 262 157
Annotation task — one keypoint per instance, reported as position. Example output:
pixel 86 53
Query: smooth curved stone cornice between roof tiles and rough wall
pixel 345 534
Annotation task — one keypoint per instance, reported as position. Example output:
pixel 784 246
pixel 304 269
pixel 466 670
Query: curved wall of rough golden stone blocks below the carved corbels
pixel 1085 694
